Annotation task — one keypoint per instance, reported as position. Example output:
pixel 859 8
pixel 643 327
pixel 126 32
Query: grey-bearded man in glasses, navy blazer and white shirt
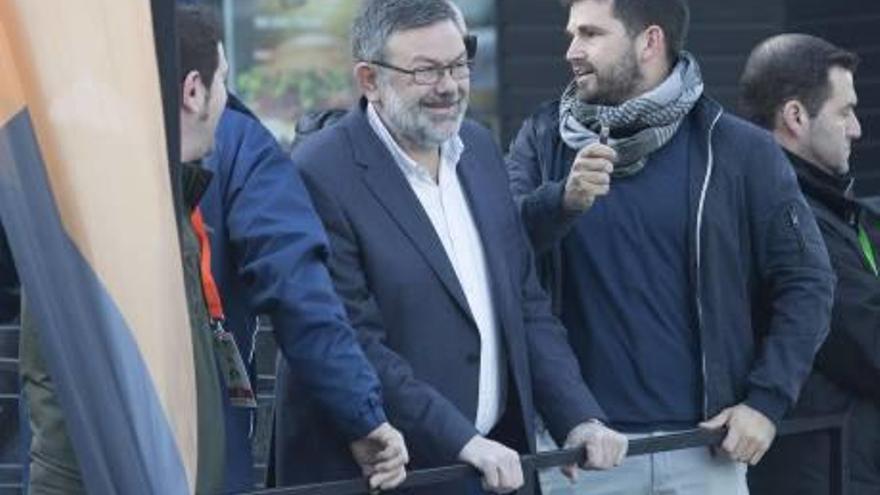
pixel 430 258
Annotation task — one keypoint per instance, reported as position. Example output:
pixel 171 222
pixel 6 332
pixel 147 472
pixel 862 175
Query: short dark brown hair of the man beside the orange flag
pixel 198 34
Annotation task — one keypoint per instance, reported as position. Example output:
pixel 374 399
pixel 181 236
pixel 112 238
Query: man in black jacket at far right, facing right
pixel 801 88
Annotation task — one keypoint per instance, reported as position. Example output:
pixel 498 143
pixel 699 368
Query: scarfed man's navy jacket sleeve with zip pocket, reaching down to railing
pixel 795 276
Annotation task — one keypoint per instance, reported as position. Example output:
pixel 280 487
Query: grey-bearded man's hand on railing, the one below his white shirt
pixel 499 465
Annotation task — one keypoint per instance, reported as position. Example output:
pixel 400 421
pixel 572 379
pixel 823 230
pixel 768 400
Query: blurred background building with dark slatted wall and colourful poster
pixel 289 57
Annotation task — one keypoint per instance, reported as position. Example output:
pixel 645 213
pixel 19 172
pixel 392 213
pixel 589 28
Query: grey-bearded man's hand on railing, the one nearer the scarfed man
pixel 605 447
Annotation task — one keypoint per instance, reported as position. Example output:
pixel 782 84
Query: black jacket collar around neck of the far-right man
pixel 834 192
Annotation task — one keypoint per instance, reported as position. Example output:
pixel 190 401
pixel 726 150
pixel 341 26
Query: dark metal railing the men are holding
pixel 832 425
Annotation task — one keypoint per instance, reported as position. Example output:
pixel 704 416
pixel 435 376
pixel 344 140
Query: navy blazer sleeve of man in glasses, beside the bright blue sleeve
pixel 432 425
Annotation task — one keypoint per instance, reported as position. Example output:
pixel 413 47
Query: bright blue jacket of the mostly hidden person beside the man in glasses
pixel 269 252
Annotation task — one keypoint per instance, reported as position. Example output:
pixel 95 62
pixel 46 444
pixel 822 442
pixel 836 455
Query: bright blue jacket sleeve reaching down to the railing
pixel 280 251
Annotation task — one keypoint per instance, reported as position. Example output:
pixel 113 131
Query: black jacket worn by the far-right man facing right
pixel 846 377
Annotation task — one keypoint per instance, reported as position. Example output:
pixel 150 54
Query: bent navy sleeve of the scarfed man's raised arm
pixel 538 198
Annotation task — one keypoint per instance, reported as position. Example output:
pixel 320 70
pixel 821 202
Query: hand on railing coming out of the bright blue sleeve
pixel 382 456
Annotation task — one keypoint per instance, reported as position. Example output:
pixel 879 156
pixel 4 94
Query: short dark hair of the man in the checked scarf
pixel 672 16
